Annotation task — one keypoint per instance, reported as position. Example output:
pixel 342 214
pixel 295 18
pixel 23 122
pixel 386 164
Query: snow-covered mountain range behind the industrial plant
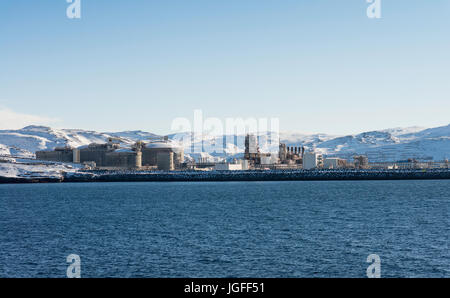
pixel 383 145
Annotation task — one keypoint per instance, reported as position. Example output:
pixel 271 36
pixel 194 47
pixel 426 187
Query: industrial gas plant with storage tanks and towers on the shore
pixel 165 155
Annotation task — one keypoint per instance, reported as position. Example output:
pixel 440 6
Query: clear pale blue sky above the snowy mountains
pixel 318 66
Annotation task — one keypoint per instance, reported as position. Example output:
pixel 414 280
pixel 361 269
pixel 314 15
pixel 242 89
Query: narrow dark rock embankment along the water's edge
pixel 235 176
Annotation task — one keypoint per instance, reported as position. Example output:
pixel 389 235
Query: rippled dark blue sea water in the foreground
pixel 242 229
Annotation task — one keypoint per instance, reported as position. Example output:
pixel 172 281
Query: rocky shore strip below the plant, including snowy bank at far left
pixel 59 173
